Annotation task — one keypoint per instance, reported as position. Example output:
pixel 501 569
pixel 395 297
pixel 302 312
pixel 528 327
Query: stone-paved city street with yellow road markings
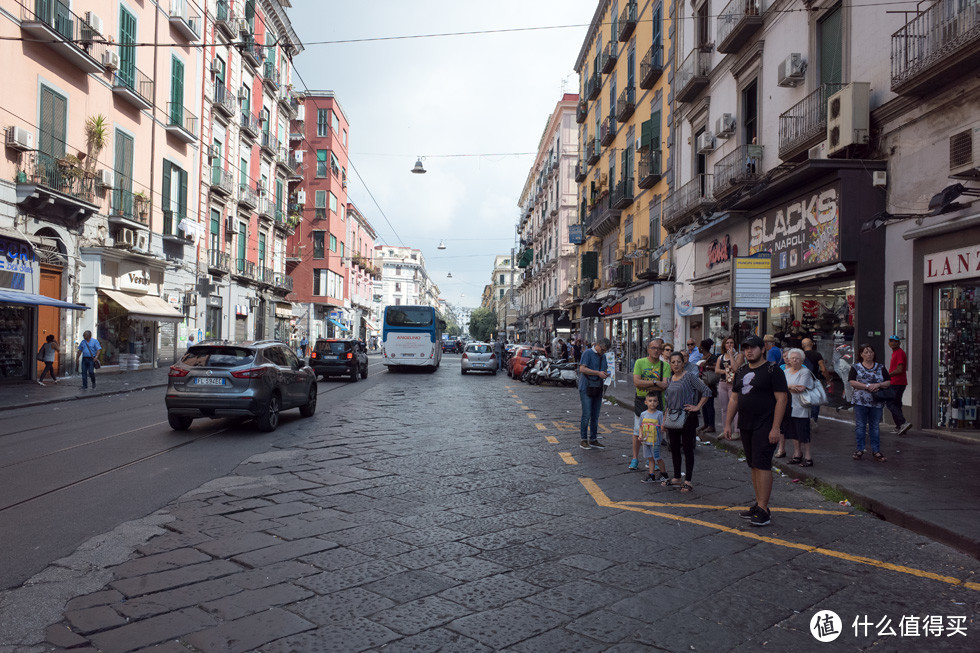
pixel 434 512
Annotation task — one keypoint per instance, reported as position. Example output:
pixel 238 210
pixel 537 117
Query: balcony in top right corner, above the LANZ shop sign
pixel 939 46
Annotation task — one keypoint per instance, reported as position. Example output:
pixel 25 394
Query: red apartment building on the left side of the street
pixel 317 258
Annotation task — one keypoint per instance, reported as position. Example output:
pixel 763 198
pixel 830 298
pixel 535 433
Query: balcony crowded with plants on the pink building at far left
pixel 58 187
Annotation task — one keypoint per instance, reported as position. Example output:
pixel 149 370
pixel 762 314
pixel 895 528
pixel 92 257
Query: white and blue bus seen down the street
pixel 412 337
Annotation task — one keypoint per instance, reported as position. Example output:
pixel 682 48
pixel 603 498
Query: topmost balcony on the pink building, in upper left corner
pixel 52 23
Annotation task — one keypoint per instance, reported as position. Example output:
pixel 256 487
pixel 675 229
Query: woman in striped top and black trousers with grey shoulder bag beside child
pixel 683 389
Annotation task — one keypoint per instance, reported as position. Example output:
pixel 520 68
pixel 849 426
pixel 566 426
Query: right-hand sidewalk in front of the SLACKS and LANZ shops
pixel 929 485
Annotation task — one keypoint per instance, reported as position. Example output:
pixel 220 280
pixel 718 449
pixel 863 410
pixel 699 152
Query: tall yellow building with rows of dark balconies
pixel 623 118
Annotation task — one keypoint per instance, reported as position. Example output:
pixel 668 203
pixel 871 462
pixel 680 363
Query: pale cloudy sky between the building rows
pixel 479 94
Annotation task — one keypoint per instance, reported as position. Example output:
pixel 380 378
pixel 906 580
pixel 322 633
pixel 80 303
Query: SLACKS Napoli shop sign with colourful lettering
pixel 802 233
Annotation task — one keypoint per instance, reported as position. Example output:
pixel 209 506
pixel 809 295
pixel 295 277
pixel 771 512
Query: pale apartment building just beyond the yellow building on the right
pixel 546 254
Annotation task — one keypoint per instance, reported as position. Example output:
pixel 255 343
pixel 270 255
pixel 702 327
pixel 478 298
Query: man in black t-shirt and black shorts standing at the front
pixel 759 397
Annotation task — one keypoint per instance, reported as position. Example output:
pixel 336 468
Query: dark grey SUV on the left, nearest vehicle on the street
pixel 251 379
